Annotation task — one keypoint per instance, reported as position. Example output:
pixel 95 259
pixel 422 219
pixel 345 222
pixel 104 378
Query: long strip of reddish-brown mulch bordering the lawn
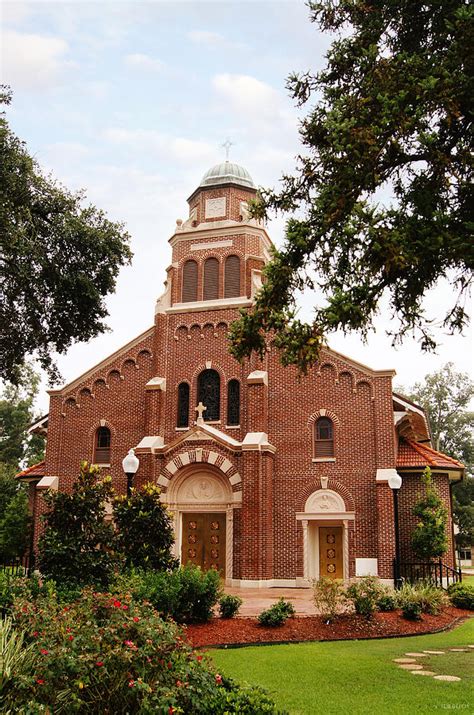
pixel 244 631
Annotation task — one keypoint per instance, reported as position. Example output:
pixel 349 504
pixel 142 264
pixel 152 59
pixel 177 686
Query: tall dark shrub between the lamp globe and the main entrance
pixel 144 529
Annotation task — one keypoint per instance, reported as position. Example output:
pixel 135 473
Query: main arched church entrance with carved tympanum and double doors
pixel 201 500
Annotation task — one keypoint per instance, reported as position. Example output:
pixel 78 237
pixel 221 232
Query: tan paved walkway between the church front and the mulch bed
pixel 255 600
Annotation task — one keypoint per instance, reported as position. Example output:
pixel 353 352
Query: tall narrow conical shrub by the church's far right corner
pixel 429 538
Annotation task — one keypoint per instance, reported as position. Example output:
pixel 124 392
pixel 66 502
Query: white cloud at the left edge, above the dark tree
pixel 33 61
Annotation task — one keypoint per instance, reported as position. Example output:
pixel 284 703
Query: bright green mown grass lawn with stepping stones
pixel 357 676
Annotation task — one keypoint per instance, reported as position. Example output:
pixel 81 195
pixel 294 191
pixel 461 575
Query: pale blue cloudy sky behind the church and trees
pixel 132 102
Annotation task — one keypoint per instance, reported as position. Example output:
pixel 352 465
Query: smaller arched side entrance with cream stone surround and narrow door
pixel 325 523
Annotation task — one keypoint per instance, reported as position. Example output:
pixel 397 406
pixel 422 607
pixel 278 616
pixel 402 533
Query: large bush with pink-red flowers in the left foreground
pixel 105 653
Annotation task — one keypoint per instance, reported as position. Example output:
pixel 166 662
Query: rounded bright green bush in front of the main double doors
pixel 187 594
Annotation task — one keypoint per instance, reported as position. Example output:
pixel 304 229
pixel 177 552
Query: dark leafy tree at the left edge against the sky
pixel 59 260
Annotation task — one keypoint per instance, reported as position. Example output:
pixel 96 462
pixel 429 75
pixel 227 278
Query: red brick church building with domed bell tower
pixel 272 479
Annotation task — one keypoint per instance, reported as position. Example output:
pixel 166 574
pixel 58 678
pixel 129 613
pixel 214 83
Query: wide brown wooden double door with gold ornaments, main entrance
pixel 204 540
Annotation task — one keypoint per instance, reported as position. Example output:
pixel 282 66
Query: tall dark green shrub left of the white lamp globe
pixel 75 547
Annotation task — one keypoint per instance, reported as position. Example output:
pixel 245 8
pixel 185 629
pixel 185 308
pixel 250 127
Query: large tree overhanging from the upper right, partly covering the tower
pixel 392 117
